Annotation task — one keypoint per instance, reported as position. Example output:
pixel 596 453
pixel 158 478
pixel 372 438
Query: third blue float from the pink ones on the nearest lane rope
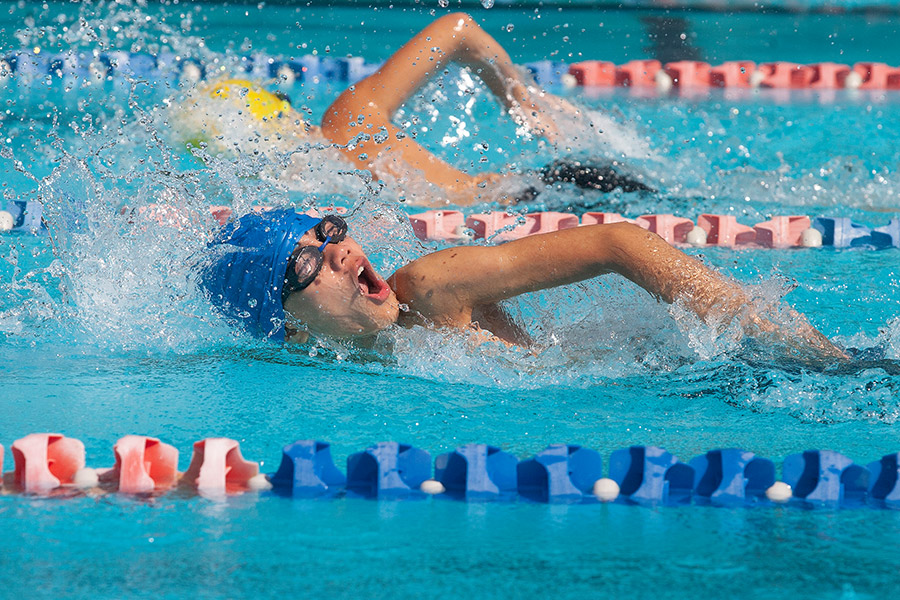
pixel 477 472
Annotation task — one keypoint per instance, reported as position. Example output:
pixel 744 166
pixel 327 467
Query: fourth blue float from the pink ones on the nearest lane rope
pixel 560 473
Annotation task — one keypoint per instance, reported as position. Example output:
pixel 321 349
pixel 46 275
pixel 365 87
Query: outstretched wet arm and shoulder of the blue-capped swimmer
pixel 447 285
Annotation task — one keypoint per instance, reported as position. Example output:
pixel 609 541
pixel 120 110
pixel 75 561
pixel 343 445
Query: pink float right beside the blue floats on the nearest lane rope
pixel 217 466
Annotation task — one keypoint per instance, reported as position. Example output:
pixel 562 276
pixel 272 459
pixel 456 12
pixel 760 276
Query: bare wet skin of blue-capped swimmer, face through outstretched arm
pixel 461 287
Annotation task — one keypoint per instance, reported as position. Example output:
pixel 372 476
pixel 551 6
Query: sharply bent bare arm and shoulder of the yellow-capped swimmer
pixel 369 106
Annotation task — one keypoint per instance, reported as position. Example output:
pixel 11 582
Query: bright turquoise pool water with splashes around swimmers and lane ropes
pixel 105 334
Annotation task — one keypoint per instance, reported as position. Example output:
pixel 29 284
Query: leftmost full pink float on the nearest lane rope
pixel 45 461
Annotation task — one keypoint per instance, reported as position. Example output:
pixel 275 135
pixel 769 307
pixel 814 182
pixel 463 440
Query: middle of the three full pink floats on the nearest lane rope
pixel 143 464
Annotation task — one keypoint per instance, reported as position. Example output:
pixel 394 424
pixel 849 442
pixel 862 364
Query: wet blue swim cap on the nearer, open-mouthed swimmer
pixel 245 272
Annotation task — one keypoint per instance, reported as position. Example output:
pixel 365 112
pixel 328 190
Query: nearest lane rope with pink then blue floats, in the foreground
pixel 52 464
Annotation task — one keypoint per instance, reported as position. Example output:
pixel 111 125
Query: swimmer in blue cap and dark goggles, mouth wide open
pixel 285 275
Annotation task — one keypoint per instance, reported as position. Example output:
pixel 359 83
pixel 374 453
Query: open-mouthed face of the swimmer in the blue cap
pixel 348 298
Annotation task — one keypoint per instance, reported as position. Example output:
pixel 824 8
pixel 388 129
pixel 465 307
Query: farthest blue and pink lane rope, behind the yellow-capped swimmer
pixel 646 74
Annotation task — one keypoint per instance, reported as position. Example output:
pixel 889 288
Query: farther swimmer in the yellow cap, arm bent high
pixel 359 122
